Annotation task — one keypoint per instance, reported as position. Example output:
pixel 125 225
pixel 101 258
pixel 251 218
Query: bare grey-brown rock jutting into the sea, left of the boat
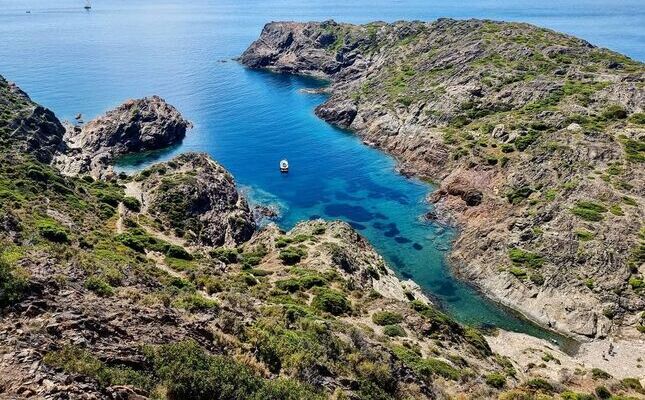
pixel 135 126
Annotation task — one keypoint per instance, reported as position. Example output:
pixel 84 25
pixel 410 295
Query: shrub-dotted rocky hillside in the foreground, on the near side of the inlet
pixel 100 299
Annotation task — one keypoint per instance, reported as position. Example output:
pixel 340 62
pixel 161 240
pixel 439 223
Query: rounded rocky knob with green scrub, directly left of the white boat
pixel 197 199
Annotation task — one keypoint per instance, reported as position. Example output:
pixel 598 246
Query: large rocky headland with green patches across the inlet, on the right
pixel 534 138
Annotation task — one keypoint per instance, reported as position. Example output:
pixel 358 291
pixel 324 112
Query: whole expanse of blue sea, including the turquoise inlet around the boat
pixel 75 61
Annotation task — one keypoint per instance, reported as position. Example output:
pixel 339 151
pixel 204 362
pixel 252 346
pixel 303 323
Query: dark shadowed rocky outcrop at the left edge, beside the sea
pixel 28 126
